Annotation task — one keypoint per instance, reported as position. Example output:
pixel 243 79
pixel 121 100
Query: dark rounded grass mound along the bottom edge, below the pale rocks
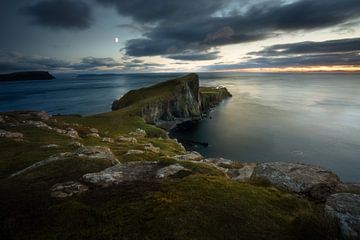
pixel 194 207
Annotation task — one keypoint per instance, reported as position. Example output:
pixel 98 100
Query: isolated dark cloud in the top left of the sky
pixel 60 14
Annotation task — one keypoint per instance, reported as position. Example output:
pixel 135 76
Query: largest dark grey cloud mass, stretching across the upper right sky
pixel 201 25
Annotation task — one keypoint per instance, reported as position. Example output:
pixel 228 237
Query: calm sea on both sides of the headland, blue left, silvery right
pixel 308 118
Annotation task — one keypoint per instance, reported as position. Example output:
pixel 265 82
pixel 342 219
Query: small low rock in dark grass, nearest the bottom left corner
pixel 67 189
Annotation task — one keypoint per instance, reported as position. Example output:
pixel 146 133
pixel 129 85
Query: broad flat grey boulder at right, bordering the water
pixel 312 181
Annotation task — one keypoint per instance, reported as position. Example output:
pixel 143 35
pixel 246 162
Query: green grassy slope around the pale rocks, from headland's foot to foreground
pixel 204 205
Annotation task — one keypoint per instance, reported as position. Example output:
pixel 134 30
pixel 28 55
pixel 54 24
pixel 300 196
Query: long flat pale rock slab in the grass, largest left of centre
pixel 132 171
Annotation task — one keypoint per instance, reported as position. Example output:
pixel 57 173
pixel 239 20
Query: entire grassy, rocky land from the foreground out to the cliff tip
pixel 118 175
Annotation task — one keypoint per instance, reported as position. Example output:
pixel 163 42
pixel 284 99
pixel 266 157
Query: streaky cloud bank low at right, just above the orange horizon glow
pixel 342 52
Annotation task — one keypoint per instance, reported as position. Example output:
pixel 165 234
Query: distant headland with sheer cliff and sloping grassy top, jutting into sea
pixel 172 102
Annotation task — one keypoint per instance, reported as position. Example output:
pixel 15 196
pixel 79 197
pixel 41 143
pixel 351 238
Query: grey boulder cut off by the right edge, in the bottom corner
pixel 346 207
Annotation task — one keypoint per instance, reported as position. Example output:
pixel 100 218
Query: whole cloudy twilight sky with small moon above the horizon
pixel 179 36
